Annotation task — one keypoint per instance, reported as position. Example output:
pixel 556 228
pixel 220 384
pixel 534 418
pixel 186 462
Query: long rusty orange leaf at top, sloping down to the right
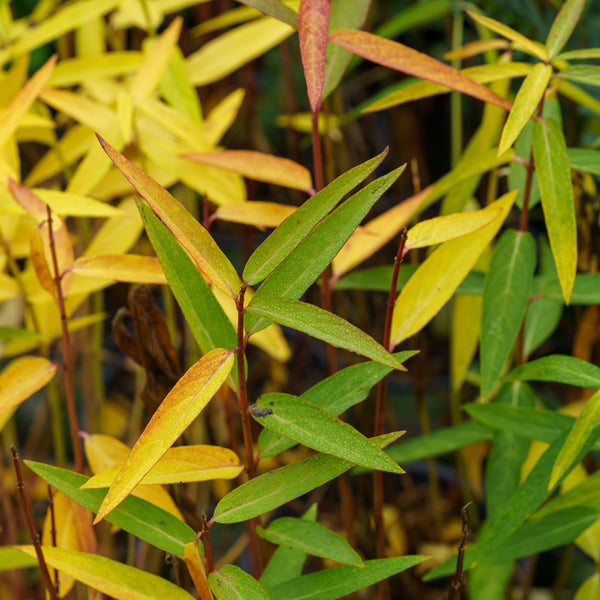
pixel 402 58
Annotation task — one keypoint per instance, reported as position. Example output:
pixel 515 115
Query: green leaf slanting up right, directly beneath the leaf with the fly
pixel 272 489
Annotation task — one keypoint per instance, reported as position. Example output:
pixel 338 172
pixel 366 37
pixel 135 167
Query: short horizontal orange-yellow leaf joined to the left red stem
pixel 121 267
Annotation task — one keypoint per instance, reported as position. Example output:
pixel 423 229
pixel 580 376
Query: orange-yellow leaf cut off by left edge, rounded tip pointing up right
pixel 22 378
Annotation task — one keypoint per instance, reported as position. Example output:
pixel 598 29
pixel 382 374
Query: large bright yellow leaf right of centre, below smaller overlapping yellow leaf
pixel 438 277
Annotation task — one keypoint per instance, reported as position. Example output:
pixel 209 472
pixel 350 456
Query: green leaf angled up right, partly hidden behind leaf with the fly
pixel 335 394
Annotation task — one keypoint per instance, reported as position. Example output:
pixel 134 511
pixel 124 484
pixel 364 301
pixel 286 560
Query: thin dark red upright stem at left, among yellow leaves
pixel 66 344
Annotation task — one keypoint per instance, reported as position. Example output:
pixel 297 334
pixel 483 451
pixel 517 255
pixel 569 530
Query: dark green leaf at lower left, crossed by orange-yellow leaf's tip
pixel 147 521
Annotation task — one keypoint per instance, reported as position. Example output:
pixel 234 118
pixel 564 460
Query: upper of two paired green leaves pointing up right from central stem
pixel 279 245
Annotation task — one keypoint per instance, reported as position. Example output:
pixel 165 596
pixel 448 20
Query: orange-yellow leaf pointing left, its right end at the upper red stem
pixel 259 166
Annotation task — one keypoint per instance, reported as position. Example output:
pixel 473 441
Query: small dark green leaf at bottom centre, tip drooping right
pixel 311 538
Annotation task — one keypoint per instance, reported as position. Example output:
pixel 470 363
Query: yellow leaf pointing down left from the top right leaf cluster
pixel 527 100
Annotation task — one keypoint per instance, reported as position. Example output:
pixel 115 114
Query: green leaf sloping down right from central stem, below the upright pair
pixel 322 325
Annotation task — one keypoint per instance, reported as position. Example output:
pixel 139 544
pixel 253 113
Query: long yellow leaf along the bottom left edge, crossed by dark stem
pixel 108 576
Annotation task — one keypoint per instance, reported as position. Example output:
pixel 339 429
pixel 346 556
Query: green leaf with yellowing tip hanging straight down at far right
pixel 554 178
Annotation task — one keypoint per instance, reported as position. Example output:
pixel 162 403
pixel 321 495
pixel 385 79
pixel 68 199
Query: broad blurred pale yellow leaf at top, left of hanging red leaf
pixel 222 56
